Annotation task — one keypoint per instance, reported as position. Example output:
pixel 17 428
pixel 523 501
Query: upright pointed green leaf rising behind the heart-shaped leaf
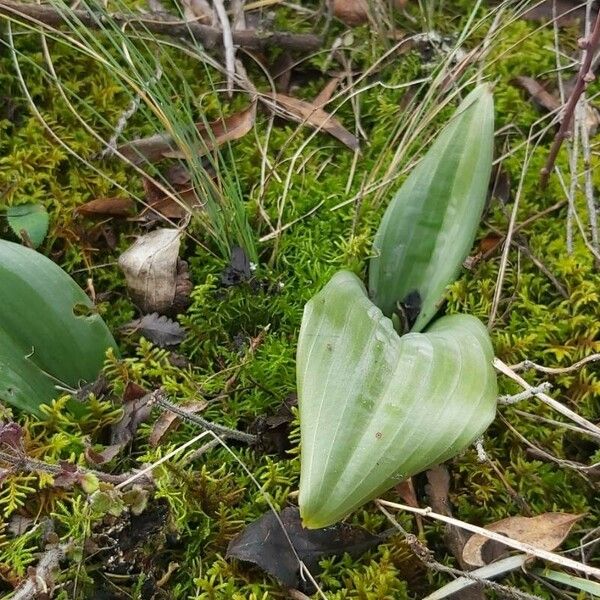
pixel 430 225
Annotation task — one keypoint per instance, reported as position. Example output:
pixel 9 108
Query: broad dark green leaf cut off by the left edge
pixel 44 345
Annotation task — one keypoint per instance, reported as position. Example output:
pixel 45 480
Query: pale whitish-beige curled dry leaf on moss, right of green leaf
pixel 150 267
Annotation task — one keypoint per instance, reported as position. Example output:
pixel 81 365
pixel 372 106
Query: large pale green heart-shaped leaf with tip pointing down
pixel 376 408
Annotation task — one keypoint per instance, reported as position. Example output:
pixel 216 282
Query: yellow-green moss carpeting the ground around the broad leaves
pixel 240 344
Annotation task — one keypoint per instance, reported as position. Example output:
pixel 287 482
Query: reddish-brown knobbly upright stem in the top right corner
pixel 585 75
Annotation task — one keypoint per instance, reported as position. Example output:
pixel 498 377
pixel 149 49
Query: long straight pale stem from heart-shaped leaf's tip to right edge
pixel 492 535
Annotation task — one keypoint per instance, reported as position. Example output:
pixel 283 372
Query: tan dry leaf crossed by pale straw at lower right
pixel 546 532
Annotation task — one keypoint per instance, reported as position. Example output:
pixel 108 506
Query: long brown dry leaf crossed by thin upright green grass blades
pixel 161 145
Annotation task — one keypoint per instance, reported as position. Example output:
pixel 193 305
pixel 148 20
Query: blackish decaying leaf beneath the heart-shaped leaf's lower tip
pixel 265 544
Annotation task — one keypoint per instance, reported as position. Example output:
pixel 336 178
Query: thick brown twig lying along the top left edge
pixel 209 37
